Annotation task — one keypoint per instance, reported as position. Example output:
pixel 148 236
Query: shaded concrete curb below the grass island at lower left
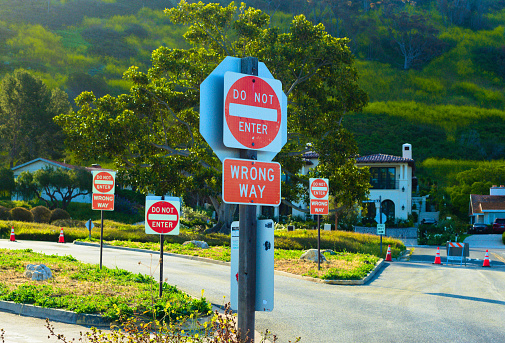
pixel 54 314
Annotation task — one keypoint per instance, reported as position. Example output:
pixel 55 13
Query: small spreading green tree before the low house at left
pixel 54 186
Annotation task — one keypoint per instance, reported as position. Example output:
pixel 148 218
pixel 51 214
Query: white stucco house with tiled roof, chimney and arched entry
pixel 392 181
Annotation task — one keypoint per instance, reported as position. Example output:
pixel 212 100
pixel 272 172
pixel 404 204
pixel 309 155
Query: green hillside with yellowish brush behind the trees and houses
pixel 449 105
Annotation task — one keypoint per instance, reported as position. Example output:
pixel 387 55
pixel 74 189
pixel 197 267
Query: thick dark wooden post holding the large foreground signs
pixel 247 244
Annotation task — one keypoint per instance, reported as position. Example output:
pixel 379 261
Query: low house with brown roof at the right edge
pixel 486 208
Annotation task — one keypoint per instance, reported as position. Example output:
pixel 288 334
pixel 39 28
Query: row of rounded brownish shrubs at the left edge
pixel 39 214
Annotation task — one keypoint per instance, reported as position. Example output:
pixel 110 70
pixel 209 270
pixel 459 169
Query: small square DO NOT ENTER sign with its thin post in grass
pixel 162 218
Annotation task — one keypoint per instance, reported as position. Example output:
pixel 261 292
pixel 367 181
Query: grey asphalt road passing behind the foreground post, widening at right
pixel 409 301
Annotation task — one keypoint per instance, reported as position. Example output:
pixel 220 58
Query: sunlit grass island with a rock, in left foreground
pixel 83 288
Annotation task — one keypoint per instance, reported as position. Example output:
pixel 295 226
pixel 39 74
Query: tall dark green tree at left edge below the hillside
pixel 26 118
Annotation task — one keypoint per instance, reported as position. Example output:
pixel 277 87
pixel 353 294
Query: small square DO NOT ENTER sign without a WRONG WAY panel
pixel 162 217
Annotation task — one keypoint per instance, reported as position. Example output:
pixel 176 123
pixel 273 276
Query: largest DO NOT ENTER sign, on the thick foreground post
pixel 252 112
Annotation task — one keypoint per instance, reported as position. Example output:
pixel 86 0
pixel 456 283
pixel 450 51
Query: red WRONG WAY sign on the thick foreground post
pixel 251 182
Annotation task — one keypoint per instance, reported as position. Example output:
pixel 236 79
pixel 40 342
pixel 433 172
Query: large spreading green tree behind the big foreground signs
pixel 152 132
